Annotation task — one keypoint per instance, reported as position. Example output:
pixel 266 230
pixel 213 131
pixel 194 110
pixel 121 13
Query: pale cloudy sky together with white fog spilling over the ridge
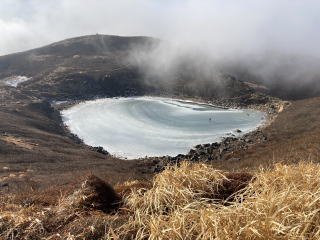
pixel 269 40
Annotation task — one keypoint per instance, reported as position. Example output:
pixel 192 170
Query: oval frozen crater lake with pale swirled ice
pixel 151 126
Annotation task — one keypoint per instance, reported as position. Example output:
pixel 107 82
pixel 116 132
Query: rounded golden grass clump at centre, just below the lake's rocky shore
pixel 177 187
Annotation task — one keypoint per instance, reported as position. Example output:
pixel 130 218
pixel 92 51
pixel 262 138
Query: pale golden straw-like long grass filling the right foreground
pixel 282 203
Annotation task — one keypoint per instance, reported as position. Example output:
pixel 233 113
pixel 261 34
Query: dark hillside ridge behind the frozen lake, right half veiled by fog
pixel 97 65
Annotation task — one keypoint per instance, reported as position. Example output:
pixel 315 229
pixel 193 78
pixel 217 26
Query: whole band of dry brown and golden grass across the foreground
pixel 192 201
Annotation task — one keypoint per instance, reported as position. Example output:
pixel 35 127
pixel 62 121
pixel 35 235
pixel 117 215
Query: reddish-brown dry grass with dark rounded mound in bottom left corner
pixel 80 215
